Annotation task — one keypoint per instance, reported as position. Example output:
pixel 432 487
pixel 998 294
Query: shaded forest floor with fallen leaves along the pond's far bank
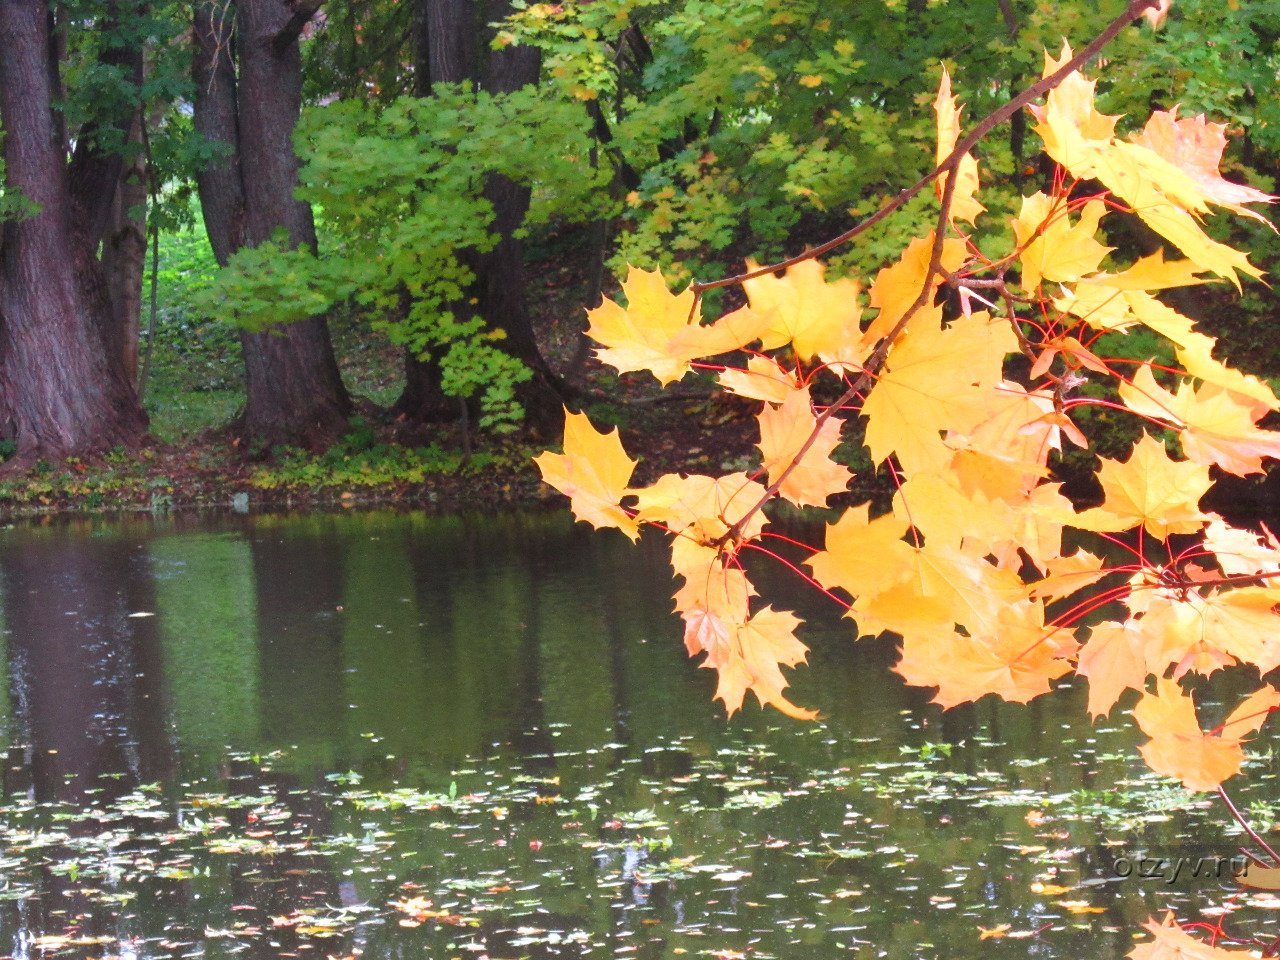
pixel 195 458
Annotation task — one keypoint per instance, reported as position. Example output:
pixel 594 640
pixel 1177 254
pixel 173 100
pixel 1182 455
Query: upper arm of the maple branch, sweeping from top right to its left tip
pixel 963 147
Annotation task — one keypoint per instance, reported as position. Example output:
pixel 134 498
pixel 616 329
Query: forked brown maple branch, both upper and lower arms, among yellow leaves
pixel 880 355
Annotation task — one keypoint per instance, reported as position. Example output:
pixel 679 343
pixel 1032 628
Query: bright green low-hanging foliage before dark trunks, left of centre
pixel 403 191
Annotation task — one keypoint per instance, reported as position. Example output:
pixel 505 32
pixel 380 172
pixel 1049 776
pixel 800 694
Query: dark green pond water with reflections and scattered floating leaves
pixel 397 735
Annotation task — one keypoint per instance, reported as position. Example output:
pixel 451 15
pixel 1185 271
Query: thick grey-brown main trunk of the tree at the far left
pixel 62 391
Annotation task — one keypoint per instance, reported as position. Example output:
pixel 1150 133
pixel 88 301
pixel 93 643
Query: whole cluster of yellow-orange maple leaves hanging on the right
pixel 971 554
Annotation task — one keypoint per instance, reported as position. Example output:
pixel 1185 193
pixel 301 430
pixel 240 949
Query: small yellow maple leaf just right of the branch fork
pixel 1060 252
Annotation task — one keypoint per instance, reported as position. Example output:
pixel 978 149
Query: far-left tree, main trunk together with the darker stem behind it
pixel 65 385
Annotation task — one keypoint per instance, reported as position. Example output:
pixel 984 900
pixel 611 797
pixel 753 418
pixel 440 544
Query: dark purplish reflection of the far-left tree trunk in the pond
pixel 85 685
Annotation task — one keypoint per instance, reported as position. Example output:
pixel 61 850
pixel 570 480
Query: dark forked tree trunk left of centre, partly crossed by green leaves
pixel 294 388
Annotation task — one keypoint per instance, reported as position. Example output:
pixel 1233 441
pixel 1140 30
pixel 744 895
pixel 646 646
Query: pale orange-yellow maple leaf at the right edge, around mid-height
pixel 1217 429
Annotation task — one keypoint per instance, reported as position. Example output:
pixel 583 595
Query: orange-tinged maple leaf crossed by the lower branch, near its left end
pixel 785 431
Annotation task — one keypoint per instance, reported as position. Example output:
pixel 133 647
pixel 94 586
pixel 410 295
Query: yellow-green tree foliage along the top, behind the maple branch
pixel 755 129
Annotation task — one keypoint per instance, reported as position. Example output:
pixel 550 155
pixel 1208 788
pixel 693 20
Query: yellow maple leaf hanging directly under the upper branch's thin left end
pixel 802 308
